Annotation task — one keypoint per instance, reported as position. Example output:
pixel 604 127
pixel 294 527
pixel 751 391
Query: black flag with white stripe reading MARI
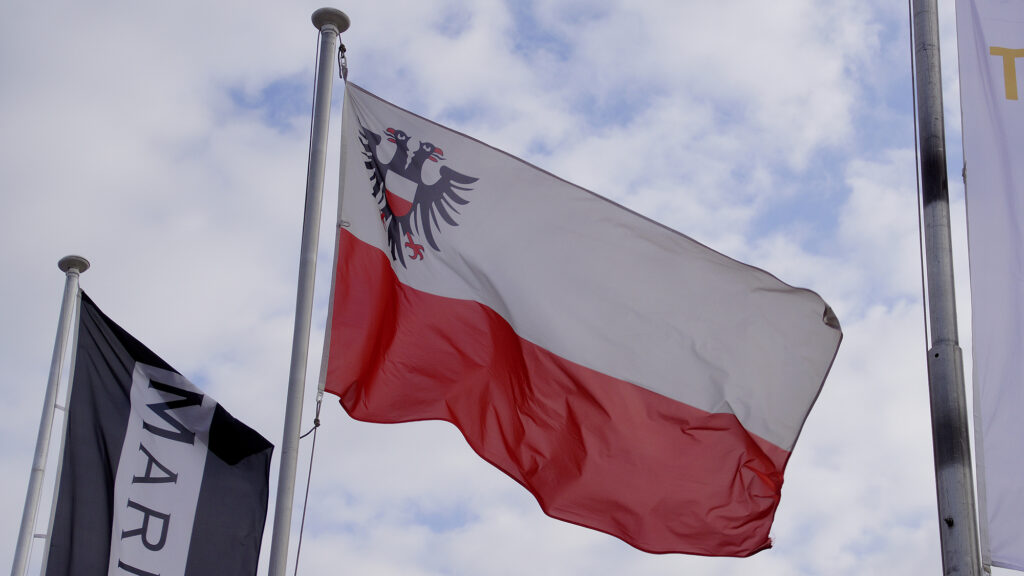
pixel 157 477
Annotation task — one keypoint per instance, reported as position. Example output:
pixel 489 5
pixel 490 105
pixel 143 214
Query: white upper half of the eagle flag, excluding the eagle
pixel 595 283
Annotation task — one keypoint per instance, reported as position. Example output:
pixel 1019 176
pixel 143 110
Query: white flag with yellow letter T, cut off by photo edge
pixel 991 43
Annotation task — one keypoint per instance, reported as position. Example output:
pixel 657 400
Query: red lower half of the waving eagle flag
pixel 594 450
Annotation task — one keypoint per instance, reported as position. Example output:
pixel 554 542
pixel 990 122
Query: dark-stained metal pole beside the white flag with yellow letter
pixel 954 477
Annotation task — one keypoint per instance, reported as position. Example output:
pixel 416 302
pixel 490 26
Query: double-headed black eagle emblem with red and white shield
pixel 410 207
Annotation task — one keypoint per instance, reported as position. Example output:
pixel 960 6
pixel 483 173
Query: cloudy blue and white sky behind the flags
pixel 167 143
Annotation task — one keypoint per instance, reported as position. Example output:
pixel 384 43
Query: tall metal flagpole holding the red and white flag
pixel 331 24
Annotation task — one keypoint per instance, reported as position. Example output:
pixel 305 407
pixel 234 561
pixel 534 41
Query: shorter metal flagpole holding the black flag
pixel 72 267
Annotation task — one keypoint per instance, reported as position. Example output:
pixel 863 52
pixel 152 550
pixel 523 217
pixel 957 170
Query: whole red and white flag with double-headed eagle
pixel 634 381
